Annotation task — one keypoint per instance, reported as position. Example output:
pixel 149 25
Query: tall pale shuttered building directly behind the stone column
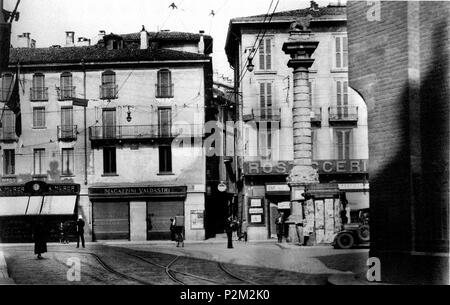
pixel 264 84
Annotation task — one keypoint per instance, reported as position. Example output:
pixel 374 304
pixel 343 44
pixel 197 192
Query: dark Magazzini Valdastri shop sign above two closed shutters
pixel 165 191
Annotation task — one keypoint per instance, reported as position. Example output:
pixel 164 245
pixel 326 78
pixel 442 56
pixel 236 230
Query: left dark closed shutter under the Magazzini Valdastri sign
pixel 111 220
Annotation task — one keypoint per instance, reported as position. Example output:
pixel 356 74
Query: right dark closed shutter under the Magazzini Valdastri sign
pixel 158 220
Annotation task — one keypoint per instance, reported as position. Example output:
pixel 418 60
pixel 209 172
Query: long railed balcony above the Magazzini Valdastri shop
pixel 104 135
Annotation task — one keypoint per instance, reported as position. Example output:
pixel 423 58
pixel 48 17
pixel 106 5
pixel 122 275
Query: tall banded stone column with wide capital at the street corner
pixel 300 46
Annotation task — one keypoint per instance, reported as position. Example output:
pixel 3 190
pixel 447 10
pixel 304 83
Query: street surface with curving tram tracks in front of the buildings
pixel 164 264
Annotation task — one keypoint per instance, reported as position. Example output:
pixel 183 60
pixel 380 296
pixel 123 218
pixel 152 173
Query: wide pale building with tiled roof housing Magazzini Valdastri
pixel 128 161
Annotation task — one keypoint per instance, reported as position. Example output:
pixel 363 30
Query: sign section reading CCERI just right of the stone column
pixel 341 166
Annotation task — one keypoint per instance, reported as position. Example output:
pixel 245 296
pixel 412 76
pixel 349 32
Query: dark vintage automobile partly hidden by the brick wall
pixel 354 234
